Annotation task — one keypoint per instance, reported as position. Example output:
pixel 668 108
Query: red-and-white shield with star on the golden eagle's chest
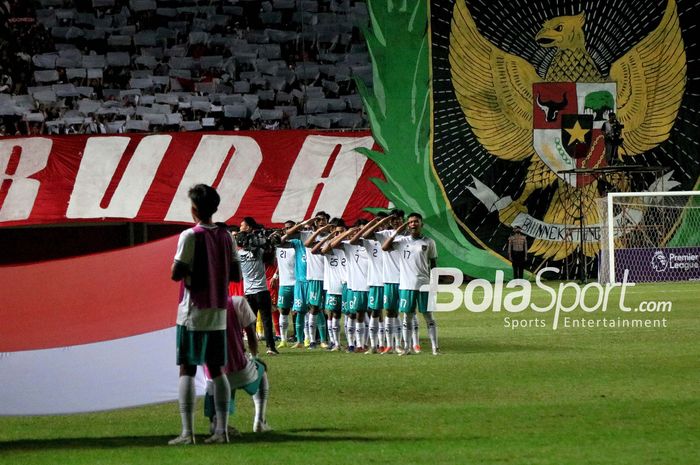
pixel 567 126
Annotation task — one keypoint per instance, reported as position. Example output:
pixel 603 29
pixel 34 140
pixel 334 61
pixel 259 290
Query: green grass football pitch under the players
pixel 590 394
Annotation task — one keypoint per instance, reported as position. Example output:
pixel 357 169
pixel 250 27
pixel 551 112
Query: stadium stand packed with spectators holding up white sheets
pixel 113 66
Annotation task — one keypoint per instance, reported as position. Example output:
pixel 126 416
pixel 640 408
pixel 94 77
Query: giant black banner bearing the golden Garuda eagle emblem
pixel 520 94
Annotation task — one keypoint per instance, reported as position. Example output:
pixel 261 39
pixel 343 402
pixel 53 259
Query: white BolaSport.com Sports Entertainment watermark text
pixel 569 302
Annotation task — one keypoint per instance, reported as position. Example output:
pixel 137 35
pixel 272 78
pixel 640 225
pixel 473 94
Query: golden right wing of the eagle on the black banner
pixel 650 84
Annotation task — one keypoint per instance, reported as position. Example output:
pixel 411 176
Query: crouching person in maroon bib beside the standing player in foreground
pixel 243 371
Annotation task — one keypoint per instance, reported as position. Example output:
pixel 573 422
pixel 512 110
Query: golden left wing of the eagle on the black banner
pixel 494 89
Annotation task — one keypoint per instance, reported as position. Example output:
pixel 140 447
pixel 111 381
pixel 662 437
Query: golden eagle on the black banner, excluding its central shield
pixel 495 91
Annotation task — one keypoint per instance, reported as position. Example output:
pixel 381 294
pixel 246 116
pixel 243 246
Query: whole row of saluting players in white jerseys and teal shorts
pixel 371 273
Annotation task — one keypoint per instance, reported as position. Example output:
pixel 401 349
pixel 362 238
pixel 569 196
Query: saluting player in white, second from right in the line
pixel 381 230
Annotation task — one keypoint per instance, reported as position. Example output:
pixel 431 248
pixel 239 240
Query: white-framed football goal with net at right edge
pixel 653 235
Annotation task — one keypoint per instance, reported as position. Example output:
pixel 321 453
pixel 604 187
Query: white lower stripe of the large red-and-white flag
pixel 127 372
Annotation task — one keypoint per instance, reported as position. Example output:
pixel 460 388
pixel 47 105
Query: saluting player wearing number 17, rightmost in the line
pixel 418 256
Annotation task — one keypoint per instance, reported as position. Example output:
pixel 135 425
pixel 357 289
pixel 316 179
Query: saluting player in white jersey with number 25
pixel 337 294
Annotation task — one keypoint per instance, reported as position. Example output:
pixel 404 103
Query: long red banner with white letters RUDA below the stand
pixel 272 176
